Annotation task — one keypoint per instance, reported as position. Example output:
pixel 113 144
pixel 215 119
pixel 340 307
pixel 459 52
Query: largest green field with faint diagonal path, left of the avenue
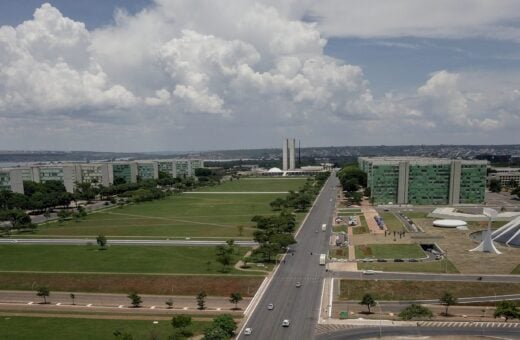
pixel 187 215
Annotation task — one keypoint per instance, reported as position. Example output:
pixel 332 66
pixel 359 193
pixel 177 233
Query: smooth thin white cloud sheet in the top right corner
pixel 420 18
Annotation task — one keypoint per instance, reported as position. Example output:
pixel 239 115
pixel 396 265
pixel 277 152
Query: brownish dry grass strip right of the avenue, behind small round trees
pixel 422 290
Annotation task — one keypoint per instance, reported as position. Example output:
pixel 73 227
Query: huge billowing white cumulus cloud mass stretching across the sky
pixel 217 66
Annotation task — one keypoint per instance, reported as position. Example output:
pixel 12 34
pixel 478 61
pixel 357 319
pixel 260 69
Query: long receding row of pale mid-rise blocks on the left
pixel 96 173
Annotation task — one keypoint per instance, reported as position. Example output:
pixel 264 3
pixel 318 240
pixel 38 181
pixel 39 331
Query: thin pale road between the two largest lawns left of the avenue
pixel 87 241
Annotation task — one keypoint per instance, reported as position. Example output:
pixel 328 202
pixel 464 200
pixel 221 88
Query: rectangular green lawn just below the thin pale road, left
pixel 117 259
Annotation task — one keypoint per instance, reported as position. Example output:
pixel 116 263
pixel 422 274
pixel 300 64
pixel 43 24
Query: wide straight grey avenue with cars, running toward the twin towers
pixel 299 305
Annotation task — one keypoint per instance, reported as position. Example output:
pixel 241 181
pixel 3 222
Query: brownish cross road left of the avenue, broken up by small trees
pixel 116 300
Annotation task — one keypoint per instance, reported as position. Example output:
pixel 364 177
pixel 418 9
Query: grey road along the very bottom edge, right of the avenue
pixel 373 332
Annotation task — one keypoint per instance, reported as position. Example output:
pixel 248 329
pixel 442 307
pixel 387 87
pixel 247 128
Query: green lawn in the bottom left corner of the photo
pixel 36 328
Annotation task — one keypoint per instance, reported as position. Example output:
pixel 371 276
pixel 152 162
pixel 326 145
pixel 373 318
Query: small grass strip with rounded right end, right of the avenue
pixel 415 267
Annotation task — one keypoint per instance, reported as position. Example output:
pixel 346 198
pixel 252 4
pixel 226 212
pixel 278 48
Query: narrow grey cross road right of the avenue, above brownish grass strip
pixel 426 277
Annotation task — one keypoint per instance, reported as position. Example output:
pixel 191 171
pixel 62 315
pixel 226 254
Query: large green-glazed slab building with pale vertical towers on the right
pixel 413 180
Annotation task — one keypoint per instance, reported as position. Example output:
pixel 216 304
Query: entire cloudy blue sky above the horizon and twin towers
pixel 177 75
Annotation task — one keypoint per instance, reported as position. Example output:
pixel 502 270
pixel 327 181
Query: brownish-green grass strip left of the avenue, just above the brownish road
pixel 218 285
